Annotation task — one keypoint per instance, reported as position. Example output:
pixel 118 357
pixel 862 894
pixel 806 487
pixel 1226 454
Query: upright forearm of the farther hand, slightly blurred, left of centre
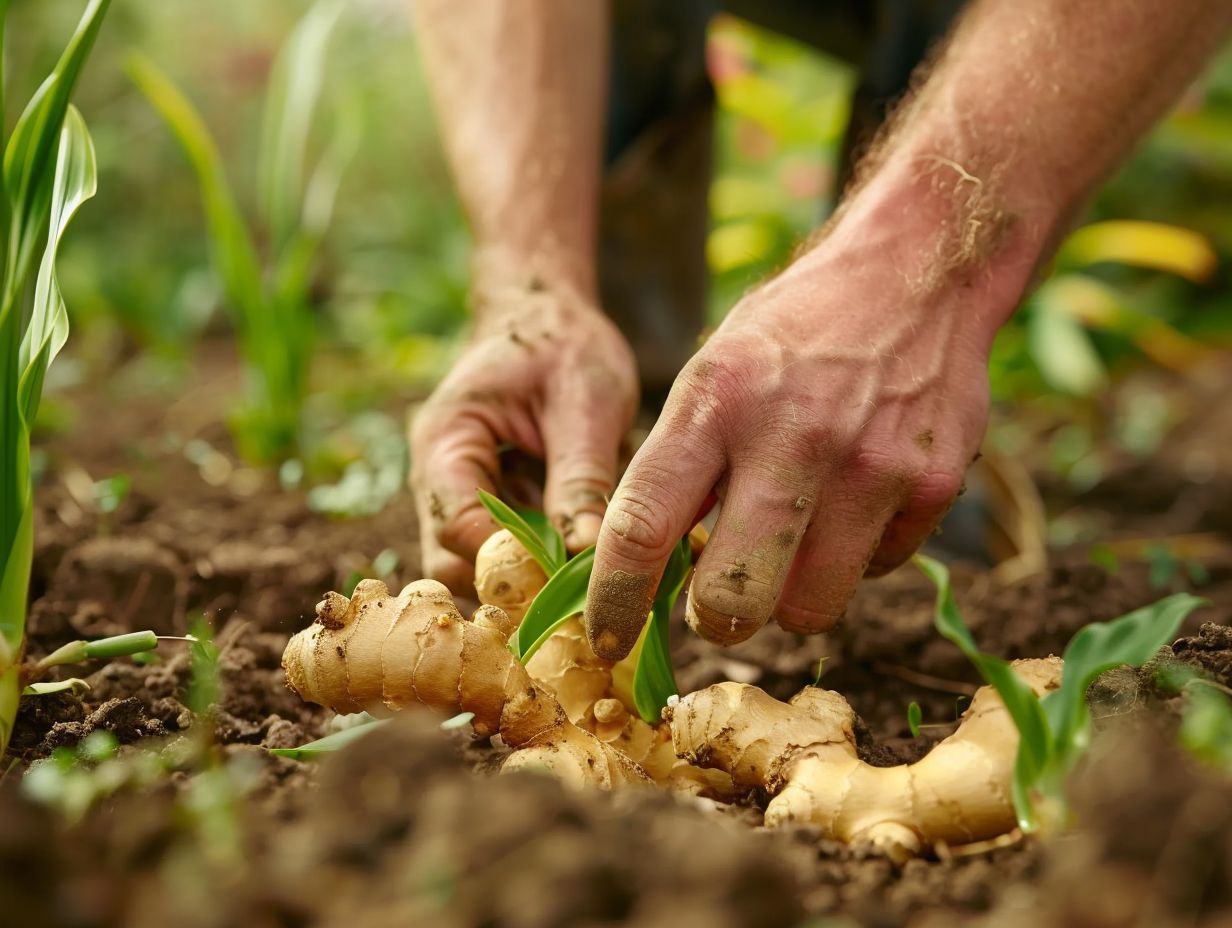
pixel 521 89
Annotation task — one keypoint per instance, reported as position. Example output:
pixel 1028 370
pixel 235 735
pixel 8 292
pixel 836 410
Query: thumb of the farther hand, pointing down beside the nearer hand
pixel 582 448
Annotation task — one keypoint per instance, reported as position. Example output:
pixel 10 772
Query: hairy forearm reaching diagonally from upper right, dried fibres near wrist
pixel 1028 109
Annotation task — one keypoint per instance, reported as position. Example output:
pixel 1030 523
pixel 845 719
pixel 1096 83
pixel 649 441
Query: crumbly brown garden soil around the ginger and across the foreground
pixel 407 828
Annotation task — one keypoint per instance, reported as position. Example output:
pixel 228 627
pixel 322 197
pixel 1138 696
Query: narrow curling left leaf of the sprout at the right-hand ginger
pixel 1035 743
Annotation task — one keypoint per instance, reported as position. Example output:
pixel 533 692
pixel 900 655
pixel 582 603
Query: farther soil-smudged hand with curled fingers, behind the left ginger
pixel 546 373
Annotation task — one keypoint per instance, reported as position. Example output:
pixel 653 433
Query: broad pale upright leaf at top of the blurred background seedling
pixel 296 82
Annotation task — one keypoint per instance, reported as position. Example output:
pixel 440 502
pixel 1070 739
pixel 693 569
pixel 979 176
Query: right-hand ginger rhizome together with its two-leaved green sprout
pixel 1007 762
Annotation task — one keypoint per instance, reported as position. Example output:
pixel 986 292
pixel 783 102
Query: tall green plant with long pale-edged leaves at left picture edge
pixel 49 173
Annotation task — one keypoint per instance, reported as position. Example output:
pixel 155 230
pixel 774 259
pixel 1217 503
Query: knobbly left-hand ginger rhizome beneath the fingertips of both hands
pixel 380 654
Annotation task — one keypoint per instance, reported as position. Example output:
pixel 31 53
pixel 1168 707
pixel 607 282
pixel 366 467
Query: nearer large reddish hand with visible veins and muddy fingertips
pixel 833 415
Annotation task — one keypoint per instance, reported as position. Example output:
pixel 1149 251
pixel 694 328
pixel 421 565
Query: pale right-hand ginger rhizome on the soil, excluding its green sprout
pixel 804 755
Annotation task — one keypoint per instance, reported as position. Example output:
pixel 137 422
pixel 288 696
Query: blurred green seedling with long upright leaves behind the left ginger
pixel 272 305
